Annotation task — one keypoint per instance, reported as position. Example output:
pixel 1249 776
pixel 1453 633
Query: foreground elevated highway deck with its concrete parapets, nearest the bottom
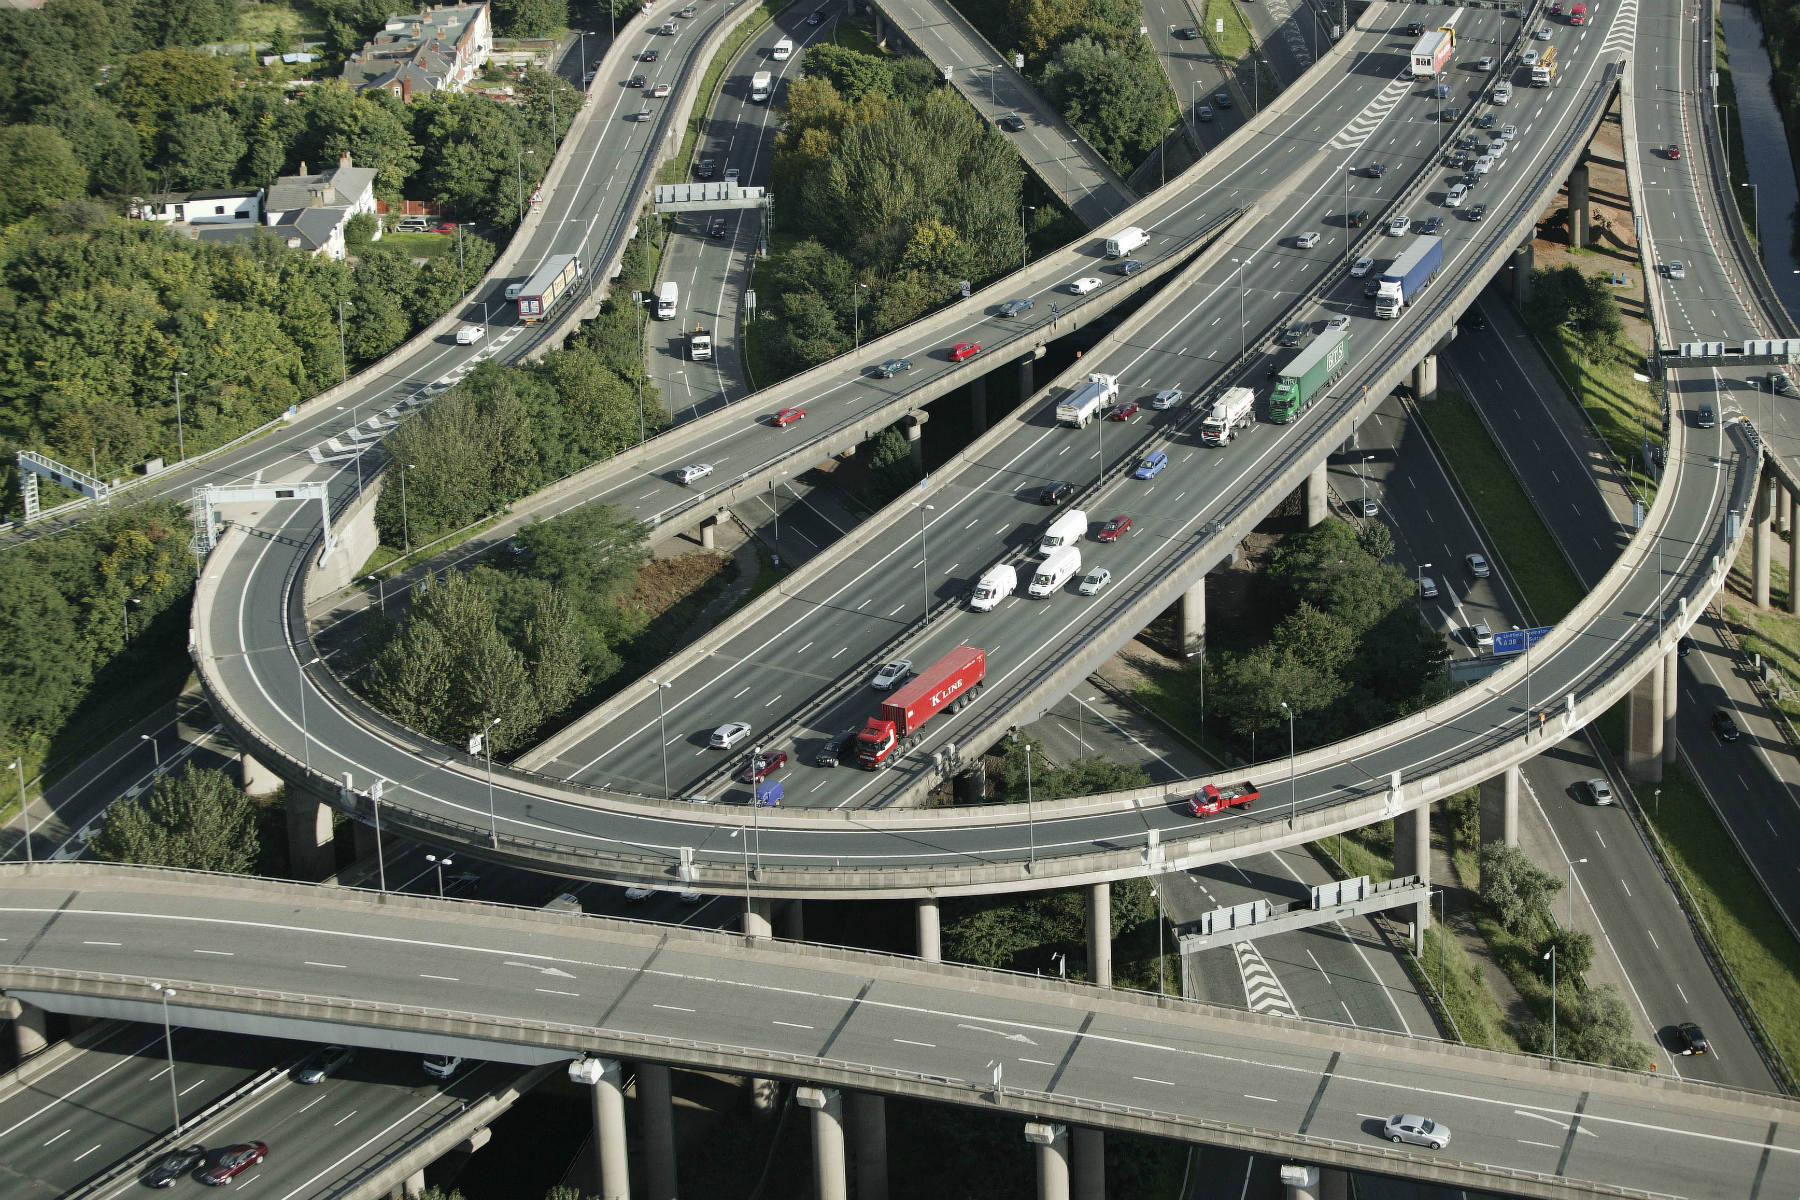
pixel 537 989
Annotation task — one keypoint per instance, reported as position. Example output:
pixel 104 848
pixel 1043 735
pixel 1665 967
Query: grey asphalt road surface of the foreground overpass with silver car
pixel 942 1023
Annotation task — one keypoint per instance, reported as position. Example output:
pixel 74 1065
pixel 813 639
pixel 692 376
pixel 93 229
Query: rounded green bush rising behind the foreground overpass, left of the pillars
pixel 199 821
